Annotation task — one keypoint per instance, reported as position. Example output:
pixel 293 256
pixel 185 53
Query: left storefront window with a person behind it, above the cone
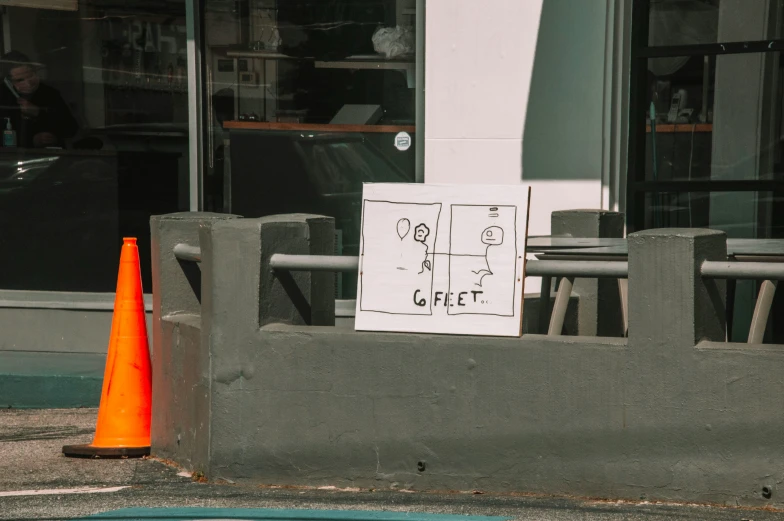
pixel 94 108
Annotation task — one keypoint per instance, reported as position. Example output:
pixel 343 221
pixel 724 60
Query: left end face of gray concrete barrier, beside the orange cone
pixel 179 368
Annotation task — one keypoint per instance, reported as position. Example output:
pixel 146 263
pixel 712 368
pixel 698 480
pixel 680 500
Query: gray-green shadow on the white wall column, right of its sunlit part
pixel 563 126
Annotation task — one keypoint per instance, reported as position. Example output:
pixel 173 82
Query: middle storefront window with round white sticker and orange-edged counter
pixel 307 100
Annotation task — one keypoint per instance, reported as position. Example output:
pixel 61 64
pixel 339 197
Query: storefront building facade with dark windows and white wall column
pixel 667 110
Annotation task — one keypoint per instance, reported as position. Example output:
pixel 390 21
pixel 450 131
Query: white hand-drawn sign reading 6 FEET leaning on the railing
pixel 442 258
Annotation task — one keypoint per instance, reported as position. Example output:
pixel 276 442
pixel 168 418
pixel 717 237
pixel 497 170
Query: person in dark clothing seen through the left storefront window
pixel 37 112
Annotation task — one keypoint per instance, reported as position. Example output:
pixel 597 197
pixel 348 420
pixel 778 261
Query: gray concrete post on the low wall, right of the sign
pixel 670 305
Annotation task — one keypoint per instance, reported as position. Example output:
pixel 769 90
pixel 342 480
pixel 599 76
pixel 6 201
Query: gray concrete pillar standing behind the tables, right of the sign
pixel 599 307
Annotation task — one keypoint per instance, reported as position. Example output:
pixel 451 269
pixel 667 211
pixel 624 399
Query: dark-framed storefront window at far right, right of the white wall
pixel 706 113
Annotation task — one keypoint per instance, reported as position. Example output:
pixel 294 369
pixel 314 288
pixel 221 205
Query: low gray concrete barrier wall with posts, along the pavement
pixel 244 390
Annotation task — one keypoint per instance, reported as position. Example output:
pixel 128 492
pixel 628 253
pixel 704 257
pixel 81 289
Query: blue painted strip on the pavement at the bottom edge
pixel 265 514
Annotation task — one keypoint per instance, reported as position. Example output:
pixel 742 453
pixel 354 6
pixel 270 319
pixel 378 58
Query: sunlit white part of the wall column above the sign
pixel 479 60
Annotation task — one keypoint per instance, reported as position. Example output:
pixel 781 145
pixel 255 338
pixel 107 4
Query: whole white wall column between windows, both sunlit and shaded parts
pixel 482 125
